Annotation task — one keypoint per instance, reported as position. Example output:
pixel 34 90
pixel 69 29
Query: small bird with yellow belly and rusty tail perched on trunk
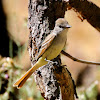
pixel 50 49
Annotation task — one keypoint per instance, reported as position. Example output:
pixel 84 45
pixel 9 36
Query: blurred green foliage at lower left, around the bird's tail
pixel 9 73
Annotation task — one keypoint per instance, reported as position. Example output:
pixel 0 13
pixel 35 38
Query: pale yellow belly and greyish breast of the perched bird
pixel 57 45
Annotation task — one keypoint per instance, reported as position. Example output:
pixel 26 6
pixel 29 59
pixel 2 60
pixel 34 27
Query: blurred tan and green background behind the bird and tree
pixel 83 42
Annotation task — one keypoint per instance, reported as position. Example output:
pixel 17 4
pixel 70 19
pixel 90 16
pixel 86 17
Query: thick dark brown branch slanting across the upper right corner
pixel 88 11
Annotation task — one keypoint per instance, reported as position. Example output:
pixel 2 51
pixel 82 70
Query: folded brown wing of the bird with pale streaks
pixel 46 43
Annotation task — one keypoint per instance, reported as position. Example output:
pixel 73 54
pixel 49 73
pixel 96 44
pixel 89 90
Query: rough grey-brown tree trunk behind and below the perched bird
pixel 54 81
